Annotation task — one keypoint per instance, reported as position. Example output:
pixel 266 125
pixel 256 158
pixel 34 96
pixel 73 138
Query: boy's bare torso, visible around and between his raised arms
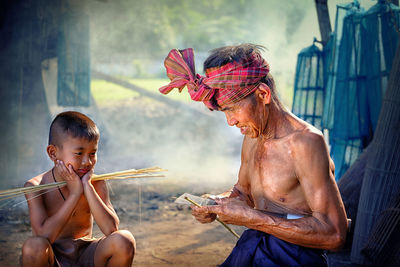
pixel 80 224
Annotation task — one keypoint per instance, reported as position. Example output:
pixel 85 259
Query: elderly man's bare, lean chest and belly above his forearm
pixel 268 174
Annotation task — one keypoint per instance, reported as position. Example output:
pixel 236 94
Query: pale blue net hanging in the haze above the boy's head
pixel 73 86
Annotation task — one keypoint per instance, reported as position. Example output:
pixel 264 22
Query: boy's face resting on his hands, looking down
pixel 79 152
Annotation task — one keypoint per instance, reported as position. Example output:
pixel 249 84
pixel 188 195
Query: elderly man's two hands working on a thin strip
pixel 229 210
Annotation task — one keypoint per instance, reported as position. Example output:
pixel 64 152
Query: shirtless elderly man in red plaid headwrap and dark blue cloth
pixel 286 192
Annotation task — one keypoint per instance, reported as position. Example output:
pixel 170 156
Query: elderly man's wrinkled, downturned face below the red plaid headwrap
pixel 244 115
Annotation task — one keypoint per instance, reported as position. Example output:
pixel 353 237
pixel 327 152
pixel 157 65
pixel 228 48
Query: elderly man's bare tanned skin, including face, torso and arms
pixel 285 168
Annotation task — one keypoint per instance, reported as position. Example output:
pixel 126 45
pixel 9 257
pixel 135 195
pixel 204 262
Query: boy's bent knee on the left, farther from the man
pixel 36 247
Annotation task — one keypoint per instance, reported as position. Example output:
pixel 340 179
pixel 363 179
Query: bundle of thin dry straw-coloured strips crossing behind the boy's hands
pixel 128 174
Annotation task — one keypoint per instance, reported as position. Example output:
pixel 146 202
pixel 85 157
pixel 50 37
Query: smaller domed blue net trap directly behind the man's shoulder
pixel 308 86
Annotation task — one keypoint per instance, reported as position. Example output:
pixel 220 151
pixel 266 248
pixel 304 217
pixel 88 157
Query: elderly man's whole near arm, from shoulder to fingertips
pixel 326 227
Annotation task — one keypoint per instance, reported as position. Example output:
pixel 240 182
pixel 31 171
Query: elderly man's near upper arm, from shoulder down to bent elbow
pixel 328 221
